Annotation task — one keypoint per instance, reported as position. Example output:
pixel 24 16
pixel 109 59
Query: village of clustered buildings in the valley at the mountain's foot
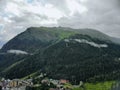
pixel 42 84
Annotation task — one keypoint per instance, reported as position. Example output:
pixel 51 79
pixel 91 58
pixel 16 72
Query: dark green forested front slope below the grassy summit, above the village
pixel 73 60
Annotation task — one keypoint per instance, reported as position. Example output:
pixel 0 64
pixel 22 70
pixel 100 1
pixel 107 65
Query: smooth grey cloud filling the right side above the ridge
pixel 102 15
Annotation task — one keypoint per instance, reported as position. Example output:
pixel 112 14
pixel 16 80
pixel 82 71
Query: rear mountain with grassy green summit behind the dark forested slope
pixel 34 38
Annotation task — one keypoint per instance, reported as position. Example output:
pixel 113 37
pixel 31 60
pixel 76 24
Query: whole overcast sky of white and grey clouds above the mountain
pixel 17 15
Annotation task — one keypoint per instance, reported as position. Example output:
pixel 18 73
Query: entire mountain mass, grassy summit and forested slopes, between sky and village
pixel 74 54
